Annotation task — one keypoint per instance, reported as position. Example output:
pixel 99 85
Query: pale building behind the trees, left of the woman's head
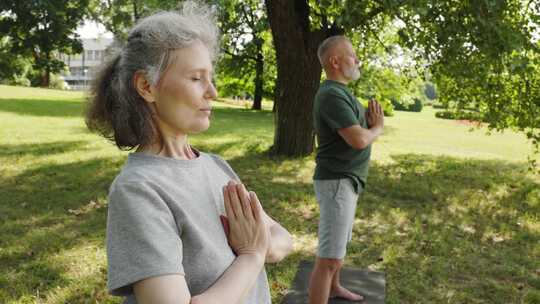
pixel 82 67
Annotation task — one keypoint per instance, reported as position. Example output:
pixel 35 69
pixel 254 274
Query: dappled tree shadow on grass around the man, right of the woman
pixel 442 228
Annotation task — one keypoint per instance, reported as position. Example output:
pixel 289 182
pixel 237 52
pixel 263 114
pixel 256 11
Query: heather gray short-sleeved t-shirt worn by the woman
pixel 163 218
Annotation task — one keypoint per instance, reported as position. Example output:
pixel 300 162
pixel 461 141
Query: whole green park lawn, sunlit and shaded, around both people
pixel 450 215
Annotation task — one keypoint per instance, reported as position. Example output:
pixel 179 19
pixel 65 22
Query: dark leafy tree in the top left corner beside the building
pixel 39 29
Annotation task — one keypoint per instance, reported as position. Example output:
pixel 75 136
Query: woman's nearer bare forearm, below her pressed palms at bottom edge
pixel 235 283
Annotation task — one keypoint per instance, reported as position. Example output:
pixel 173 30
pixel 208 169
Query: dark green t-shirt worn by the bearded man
pixel 335 108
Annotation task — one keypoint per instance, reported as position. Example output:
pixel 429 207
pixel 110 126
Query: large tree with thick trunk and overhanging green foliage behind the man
pixel 479 52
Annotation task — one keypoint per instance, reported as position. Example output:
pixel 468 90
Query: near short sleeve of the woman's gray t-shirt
pixel 143 240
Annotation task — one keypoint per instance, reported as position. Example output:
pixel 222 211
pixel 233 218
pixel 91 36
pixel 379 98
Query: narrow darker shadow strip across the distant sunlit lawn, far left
pixel 38 107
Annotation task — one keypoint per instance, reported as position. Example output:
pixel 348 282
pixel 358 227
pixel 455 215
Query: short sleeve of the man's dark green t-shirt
pixel 337 113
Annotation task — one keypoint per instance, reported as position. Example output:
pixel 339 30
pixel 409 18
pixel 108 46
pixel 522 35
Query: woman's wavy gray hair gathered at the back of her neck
pixel 116 110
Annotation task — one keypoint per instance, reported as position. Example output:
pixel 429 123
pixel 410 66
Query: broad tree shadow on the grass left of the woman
pixel 45 211
